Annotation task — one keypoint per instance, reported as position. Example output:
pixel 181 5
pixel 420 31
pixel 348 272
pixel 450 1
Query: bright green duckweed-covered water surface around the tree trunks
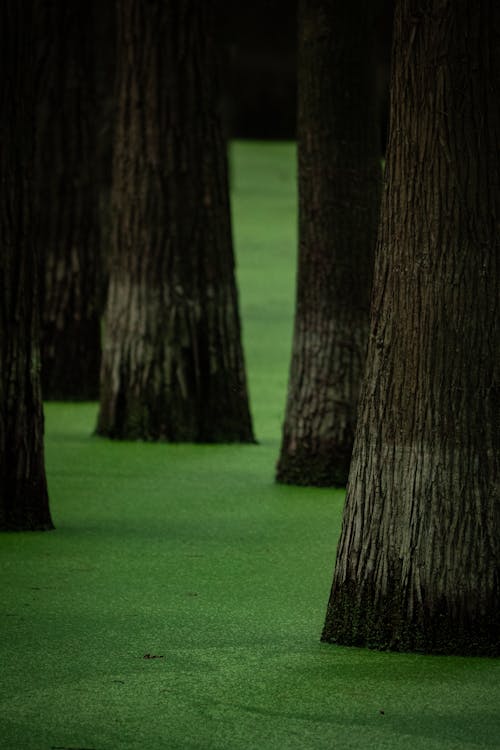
pixel 180 601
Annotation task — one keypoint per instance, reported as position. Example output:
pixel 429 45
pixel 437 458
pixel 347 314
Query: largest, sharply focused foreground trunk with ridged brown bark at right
pixel 418 564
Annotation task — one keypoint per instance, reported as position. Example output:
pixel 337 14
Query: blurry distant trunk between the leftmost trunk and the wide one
pixel 68 205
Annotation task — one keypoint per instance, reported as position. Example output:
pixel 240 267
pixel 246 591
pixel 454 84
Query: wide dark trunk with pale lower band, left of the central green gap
pixel 172 361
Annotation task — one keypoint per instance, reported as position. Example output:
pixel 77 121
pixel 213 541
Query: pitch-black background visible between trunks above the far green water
pixel 258 65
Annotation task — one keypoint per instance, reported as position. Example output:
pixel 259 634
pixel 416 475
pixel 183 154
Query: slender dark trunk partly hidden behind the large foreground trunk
pixel 339 189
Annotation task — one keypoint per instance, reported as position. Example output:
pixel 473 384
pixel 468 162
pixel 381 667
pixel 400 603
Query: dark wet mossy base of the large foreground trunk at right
pixel 449 628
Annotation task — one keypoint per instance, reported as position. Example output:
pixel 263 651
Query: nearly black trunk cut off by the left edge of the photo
pixel 23 488
